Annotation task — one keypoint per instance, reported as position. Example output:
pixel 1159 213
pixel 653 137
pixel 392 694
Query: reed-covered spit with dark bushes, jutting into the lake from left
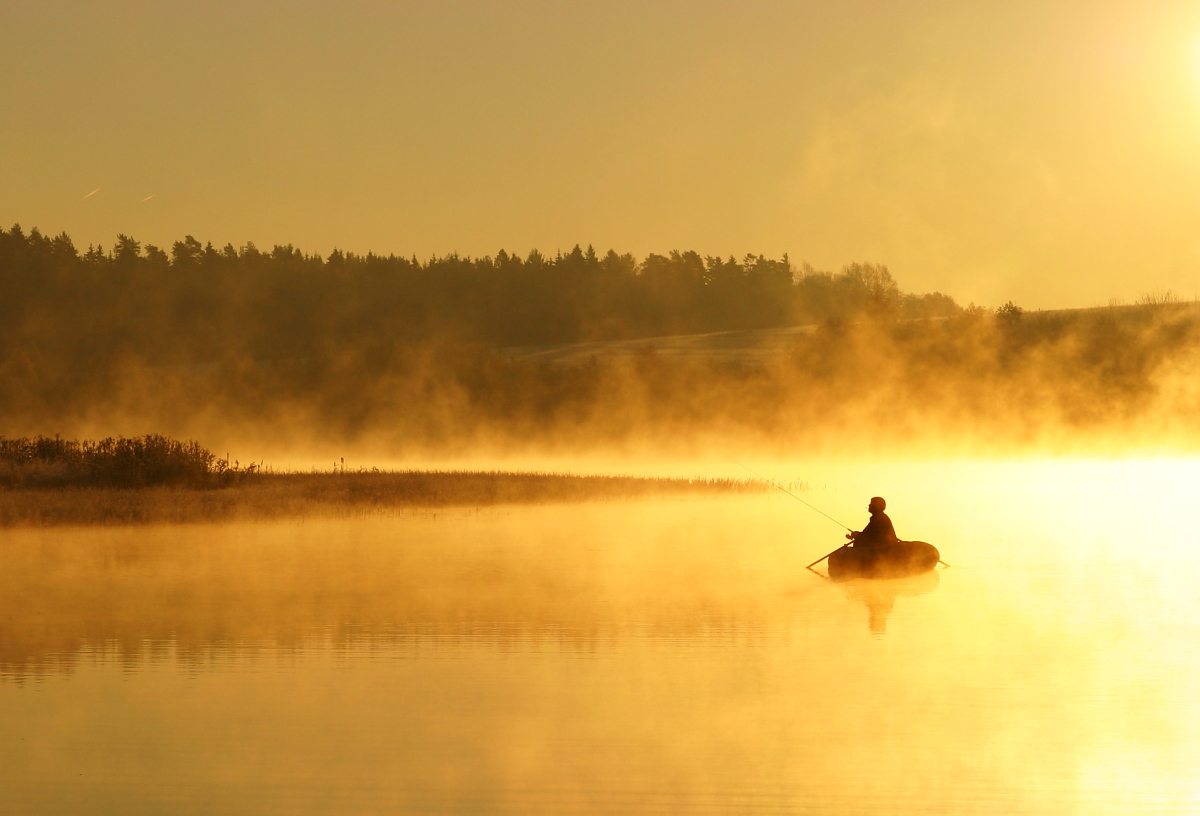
pixel 155 479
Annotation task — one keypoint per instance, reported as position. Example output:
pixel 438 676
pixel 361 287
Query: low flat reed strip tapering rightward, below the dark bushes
pixel 272 496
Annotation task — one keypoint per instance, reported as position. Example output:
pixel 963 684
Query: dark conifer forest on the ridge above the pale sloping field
pixel 201 304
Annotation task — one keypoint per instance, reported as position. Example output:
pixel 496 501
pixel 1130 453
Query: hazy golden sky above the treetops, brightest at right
pixel 1047 153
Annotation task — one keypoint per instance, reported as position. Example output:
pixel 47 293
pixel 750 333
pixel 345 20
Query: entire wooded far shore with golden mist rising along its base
pixel 398 355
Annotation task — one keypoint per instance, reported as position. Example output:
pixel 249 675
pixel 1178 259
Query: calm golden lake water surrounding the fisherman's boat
pixel 622 658
